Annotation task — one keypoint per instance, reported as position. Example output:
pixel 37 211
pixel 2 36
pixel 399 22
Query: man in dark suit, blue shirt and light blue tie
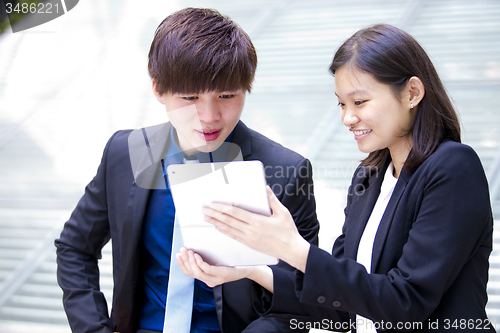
pixel 201 64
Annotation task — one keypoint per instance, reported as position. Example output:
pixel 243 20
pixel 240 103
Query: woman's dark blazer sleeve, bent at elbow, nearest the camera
pixel 451 224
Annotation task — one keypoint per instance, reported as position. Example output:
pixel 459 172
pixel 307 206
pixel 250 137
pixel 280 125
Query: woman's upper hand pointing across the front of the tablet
pixel 275 235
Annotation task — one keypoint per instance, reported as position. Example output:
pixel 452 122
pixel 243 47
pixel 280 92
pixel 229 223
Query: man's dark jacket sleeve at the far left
pixel 78 250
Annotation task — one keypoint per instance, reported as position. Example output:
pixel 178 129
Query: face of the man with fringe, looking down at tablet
pixel 203 120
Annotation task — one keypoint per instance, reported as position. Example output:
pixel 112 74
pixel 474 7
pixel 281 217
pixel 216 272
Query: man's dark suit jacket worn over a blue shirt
pixel 113 207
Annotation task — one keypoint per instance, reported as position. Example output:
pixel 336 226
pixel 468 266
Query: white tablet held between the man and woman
pixel 239 183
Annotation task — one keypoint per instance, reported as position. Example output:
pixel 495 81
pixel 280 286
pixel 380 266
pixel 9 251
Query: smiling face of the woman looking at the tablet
pixel 376 117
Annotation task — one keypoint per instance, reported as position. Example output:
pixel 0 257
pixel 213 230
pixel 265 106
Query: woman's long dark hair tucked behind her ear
pixel 392 56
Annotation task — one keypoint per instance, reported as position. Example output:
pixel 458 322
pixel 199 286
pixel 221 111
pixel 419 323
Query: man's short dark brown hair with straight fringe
pixel 196 50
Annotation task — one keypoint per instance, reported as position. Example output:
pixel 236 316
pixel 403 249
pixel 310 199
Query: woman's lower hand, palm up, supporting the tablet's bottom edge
pixel 193 265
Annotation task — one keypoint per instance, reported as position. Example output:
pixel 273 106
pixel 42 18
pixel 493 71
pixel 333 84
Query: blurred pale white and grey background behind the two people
pixel 66 86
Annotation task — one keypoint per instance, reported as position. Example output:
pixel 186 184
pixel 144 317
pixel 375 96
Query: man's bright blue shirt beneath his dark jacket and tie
pixel 156 254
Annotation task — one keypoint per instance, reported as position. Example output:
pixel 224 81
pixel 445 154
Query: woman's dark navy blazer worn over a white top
pixel 430 255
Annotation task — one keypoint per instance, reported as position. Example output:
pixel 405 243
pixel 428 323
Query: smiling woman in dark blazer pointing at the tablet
pixel 413 254
